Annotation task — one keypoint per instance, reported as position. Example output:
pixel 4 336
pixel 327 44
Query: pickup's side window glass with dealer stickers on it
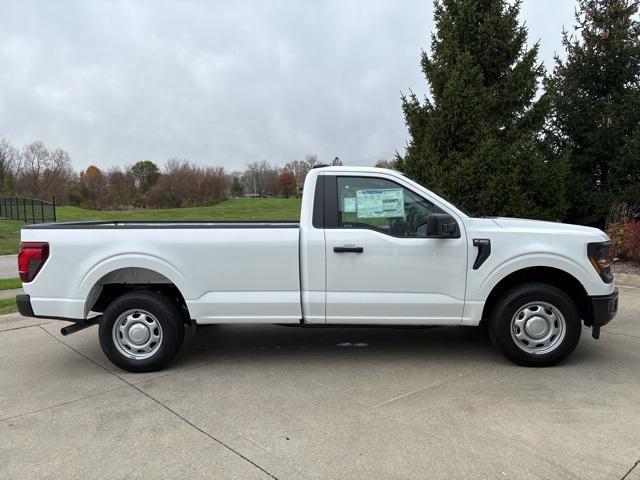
pixel 383 205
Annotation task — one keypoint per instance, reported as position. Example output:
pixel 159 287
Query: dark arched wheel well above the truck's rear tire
pixel 119 282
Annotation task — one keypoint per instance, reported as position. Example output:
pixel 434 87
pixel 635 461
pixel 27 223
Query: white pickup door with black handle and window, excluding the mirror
pixel 378 267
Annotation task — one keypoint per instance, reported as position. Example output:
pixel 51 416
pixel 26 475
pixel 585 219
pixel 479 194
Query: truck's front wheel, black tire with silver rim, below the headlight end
pixel 556 309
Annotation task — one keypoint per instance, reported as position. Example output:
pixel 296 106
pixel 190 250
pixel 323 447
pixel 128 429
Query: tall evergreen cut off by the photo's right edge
pixel 596 108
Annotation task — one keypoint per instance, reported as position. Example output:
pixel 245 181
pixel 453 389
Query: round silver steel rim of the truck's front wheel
pixel 538 328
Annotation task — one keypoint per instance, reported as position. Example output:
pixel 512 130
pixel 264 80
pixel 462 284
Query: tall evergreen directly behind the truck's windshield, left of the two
pixel 477 137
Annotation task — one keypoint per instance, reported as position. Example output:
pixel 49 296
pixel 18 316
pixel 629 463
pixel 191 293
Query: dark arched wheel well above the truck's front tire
pixel 551 276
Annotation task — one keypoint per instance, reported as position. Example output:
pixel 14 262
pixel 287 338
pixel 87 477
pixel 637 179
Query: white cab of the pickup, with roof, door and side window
pixel 373 250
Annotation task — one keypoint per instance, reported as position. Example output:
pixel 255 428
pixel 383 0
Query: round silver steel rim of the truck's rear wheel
pixel 137 334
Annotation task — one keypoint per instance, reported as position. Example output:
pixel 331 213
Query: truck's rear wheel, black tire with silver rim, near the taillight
pixel 139 307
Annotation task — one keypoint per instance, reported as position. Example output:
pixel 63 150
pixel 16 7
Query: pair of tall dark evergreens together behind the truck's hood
pixel 501 136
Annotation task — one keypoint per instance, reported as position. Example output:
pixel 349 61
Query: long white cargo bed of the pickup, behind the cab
pixel 225 271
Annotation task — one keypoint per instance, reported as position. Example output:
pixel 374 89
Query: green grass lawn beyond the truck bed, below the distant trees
pixel 234 209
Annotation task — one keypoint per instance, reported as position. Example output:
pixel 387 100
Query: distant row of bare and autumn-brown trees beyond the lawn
pixel 39 172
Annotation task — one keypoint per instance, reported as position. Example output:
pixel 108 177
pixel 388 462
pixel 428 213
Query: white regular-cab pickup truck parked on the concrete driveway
pixel 372 248
